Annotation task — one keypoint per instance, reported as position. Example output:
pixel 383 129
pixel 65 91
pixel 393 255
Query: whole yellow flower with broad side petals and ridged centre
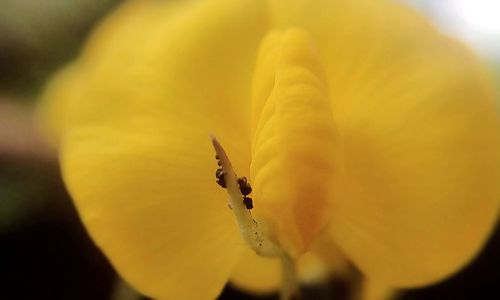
pixel 354 120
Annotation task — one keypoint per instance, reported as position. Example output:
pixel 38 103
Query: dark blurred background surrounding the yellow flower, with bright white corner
pixel 45 252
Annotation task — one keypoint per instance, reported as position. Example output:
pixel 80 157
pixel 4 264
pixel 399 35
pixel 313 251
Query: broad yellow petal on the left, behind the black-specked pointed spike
pixel 152 85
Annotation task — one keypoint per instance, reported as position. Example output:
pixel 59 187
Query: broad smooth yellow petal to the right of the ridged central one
pixel 420 191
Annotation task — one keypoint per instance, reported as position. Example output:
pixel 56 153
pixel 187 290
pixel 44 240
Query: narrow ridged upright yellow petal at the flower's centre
pixel 293 159
